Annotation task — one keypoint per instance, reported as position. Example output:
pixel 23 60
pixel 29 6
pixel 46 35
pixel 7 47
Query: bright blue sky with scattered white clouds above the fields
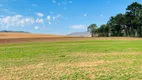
pixel 58 16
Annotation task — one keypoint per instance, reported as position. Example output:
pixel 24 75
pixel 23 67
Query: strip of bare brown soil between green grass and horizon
pixel 27 37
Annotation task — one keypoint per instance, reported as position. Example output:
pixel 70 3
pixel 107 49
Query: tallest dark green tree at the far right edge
pixel 133 17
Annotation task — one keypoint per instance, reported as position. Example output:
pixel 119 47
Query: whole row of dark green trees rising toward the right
pixel 128 24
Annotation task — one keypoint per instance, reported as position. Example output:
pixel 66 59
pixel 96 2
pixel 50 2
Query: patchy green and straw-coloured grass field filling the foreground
pixel 72 60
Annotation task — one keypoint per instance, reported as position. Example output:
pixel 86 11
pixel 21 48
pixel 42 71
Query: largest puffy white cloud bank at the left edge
pixel 16 21
